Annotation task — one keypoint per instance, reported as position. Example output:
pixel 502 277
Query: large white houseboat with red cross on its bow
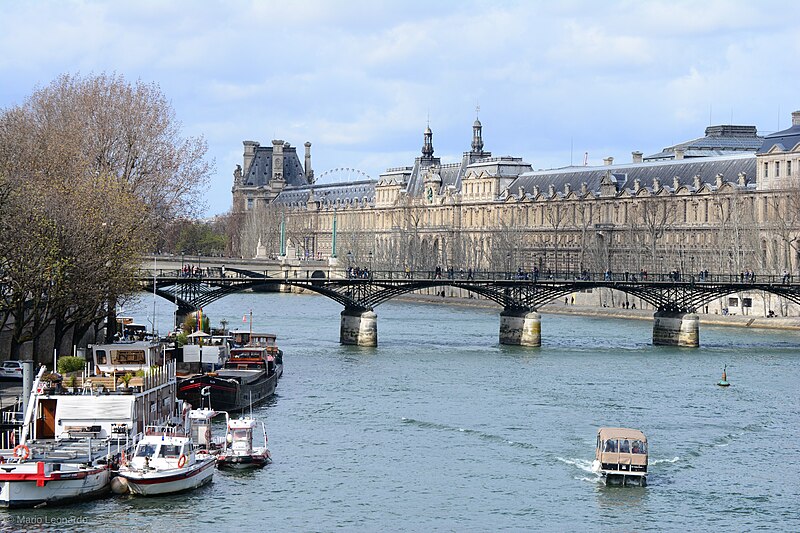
pixel 70 440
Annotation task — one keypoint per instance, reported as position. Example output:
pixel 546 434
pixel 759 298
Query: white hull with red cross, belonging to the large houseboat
pixel 26 485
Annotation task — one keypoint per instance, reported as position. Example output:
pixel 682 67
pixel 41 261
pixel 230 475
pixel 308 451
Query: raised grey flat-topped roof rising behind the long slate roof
pixel 718 140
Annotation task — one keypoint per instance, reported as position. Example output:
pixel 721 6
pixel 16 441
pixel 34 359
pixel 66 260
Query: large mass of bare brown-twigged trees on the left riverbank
pixel 97 165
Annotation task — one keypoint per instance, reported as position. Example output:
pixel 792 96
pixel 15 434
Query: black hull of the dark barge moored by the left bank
pixel 227 394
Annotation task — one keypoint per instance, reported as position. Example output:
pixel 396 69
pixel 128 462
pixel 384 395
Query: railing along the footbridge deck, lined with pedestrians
pixel 219 274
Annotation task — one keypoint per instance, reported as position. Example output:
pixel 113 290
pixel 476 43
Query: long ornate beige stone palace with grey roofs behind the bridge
pixel 723 203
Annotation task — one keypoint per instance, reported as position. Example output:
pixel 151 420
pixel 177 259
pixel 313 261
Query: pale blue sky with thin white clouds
pixel 361 80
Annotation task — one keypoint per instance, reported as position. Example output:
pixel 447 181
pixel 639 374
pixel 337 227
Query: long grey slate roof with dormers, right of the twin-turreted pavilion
pixel 707 168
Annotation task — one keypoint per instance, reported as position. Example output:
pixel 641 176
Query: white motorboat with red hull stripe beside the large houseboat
pixel 164 462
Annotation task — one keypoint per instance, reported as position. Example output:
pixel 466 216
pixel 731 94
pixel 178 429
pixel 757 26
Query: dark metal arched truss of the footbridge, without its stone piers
pixel 362 294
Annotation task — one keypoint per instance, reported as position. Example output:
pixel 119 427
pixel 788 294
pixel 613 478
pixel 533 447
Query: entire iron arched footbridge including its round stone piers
pixel 675 323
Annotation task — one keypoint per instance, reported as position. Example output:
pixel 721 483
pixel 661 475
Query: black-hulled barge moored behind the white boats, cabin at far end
pixel 249 377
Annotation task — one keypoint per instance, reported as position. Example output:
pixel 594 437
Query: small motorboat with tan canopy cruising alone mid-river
pixel 621 456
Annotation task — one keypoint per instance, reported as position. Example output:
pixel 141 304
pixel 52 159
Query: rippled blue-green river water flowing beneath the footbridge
pixel 441 428
